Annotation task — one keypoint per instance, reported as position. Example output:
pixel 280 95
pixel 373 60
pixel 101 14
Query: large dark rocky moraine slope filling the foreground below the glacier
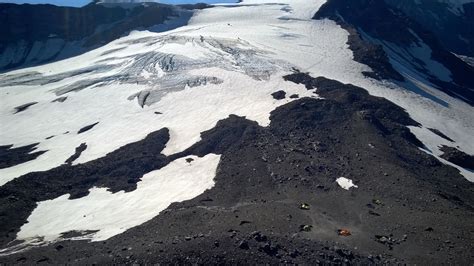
pixel 408 207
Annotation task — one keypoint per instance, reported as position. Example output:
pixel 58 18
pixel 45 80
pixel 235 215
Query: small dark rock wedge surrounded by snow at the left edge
pixel 13 156
